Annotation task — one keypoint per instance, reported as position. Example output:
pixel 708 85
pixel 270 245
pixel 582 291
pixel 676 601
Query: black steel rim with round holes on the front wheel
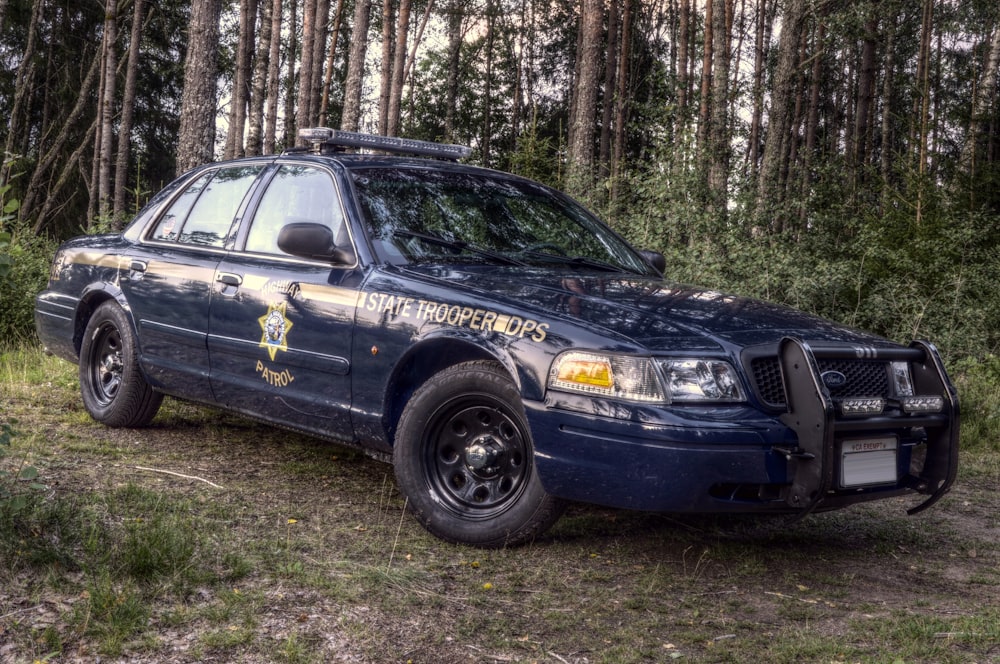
pixel 476 457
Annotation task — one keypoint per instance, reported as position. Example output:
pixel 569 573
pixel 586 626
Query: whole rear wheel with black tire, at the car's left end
pixel 114 390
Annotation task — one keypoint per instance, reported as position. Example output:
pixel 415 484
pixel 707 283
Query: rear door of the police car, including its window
pixel 168 279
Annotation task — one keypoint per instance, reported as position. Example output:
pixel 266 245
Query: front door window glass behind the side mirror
pixel 296 194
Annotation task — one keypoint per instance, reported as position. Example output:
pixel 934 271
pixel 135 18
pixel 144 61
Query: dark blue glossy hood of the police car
pixel 651 312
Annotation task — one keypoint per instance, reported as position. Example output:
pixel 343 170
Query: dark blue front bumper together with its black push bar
pixel 731 459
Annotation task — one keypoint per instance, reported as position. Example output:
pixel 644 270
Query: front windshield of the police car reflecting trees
pixel 419 216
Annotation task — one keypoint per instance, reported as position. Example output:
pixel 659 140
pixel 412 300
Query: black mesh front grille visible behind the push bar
pixel 865 378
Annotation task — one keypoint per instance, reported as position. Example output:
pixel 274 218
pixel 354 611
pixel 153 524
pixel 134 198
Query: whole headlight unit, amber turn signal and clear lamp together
pixel 637 378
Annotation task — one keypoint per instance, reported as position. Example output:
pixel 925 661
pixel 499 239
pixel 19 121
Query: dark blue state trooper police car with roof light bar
pixel 504 349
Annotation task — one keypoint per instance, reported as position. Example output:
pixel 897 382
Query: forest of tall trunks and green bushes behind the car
pixel 839 156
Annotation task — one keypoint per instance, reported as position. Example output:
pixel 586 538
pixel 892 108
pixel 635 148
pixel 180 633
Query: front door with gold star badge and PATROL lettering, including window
pixel 281 327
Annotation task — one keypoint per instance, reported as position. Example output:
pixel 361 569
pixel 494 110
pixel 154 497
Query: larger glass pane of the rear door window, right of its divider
pixel 212 215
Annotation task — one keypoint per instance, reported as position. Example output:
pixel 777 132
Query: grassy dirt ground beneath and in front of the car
pixel 207 536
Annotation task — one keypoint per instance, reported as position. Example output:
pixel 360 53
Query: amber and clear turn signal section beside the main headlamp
pixel 622 377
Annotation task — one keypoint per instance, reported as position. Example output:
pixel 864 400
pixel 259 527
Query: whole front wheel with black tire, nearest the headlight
pixel 464 460
